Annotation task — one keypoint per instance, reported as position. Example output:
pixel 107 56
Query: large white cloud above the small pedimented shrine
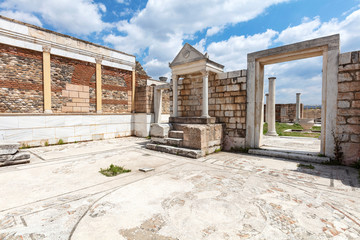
pixel 161 27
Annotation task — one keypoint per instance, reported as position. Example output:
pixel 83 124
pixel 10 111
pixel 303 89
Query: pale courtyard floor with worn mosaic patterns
pixel 61 195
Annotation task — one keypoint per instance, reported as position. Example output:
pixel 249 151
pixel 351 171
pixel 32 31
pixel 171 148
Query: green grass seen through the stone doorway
pixel 281 127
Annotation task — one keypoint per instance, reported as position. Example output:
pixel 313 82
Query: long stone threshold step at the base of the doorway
pixel 289 155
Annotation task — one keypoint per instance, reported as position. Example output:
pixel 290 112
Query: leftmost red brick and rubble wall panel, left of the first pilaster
pixel 21 89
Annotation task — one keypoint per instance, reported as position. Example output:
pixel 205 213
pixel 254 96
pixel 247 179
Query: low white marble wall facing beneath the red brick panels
pixel 37 130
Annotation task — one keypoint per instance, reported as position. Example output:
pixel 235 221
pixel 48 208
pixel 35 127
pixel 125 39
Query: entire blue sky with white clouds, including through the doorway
pixel 155 31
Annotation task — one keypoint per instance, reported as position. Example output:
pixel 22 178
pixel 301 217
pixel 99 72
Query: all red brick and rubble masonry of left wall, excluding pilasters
pixel 21 85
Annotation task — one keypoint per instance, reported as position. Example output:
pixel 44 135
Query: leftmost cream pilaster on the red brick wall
pixel 47 79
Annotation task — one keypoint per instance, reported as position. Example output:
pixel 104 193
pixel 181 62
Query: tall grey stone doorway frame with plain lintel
pixel 327 47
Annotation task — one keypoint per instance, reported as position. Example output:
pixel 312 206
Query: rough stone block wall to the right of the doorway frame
pixel 348 120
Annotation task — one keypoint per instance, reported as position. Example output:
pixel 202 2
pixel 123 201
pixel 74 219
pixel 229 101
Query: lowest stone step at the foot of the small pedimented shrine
pixel 191 153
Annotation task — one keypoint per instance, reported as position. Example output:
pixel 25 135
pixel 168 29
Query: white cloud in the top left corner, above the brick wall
pixel 80 17
